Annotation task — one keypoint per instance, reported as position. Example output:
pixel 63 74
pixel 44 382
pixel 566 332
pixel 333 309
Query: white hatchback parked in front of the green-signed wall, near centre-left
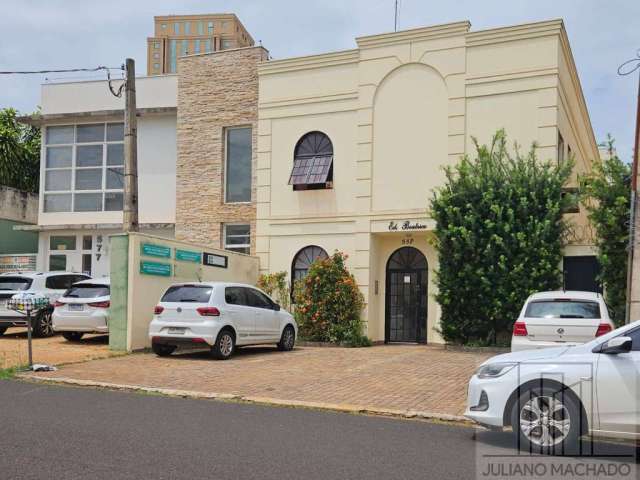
pixel 219 315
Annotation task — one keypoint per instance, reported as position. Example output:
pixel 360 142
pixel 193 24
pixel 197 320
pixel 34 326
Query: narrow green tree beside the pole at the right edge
pixel 606 193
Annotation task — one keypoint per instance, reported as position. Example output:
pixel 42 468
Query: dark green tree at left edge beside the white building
pixel 19 153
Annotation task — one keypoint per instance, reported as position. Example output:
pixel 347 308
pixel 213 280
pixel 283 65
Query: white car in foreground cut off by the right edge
pixel 553 396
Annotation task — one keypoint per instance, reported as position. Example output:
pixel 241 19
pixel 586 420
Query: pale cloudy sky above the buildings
pixel 54 34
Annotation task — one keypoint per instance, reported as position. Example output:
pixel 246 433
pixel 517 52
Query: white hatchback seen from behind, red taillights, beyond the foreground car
pixel 551 319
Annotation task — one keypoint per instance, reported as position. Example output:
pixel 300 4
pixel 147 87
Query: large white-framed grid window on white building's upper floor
pixel 84 167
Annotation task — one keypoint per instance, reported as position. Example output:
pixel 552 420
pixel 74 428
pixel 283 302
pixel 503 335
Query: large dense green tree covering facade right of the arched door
pixel 499 238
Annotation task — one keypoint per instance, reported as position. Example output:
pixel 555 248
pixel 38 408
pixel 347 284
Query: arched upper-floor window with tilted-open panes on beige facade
pixel 312 163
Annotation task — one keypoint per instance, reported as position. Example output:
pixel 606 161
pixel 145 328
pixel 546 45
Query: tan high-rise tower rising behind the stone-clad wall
pixel 179 35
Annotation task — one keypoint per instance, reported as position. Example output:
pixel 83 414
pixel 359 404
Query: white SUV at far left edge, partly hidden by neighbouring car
pixel 48 284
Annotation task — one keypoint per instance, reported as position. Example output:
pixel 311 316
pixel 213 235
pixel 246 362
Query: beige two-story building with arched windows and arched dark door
pixel 351 145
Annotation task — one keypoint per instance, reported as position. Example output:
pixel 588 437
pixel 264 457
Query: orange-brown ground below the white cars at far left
pixel 52 350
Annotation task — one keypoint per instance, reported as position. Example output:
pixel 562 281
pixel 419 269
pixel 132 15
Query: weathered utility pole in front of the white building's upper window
pixel 130 207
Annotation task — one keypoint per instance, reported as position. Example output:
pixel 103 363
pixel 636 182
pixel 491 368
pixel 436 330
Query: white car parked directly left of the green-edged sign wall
pixel 84 308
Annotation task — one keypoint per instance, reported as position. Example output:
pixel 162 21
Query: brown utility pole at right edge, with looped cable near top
pixel 632 311
